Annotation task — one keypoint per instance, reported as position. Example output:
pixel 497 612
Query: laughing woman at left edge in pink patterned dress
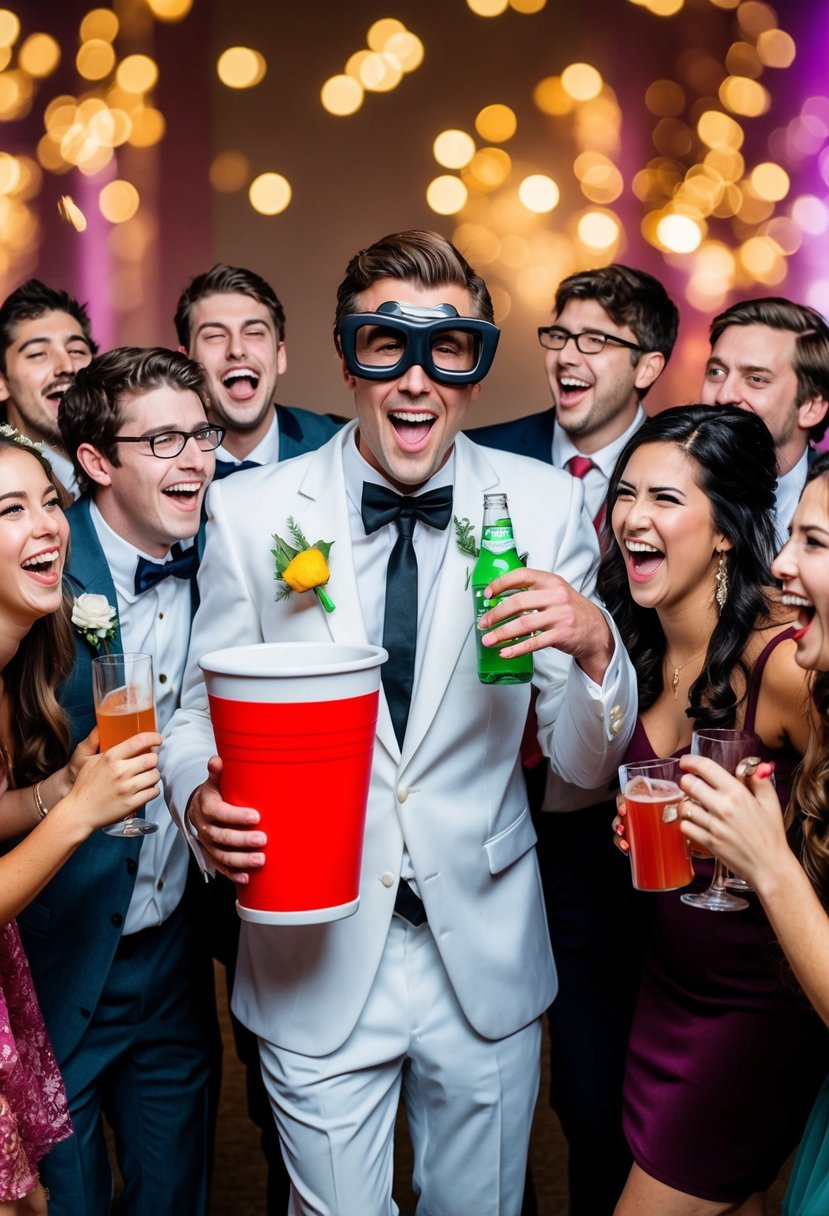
pixel 55 807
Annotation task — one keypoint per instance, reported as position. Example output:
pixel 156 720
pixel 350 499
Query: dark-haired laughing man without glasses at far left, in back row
pixel 44 339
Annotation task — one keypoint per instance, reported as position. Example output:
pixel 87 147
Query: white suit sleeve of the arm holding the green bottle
pixel 584 729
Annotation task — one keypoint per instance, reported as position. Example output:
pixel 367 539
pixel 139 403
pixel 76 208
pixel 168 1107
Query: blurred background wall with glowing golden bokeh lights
pixel 144 140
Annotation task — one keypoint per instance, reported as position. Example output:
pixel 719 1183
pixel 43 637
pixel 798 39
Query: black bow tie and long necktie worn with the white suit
pixel 381 506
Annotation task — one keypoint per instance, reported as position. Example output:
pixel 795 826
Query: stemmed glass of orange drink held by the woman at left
pixel 125 706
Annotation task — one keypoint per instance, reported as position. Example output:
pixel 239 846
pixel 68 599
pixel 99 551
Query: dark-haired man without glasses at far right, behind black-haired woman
pixel 772 357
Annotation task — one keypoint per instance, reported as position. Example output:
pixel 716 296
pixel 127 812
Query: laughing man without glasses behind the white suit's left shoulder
pixel 232 322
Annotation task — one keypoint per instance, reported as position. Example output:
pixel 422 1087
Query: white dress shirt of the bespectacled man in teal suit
pixel 157 623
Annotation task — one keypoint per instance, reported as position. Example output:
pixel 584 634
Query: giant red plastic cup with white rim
pixel 295 727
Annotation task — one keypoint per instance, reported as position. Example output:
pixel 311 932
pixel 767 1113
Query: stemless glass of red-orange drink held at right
pixel 661 858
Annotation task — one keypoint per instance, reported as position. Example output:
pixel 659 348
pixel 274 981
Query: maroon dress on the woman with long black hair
pixel 726 1057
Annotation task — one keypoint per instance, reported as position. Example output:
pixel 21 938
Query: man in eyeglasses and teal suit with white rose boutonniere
pixel 126 992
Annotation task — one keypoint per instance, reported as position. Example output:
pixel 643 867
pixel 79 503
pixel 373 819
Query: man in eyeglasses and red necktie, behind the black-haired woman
pixel 612 336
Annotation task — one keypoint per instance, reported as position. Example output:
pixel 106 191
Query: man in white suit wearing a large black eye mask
pixel 437 984
